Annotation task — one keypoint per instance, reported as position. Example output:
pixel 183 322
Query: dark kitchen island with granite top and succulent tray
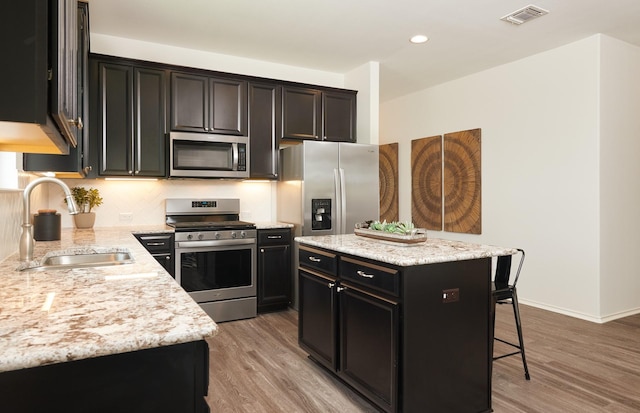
pixel 407 326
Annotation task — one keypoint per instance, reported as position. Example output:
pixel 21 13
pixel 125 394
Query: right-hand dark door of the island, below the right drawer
pixel 369 345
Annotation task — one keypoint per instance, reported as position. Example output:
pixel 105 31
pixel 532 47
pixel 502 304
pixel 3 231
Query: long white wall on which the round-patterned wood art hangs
pixel 540 166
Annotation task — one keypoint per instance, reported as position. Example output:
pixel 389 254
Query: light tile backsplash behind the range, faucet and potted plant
pixel 130 203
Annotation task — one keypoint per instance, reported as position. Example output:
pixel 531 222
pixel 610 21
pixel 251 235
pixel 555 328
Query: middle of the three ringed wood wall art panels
pixel 426 182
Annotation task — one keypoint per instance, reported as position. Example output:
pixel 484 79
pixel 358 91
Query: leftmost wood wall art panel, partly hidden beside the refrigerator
pixel 388 171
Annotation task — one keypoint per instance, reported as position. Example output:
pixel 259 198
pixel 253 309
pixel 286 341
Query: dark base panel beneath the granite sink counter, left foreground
pixel 161 380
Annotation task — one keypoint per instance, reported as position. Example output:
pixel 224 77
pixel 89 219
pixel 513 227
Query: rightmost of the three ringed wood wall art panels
pixel 462 182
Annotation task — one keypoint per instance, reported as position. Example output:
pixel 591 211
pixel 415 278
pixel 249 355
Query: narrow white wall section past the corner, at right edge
pixel 619 176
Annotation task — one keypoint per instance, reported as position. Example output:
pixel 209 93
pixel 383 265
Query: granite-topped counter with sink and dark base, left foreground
pixel 111 338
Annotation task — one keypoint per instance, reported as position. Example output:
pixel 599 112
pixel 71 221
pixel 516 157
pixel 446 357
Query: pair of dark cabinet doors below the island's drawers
pixel 353 334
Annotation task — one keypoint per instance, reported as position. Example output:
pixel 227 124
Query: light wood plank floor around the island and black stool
pixel 575 366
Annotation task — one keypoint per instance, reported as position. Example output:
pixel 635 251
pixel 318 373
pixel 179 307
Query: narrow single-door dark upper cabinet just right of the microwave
pixel 265 110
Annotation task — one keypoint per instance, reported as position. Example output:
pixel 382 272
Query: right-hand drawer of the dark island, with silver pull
pixel 370 275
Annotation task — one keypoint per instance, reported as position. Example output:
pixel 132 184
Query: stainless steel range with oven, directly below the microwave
pixel 215 256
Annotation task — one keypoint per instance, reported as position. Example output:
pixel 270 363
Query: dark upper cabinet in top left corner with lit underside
pixel 39 77
